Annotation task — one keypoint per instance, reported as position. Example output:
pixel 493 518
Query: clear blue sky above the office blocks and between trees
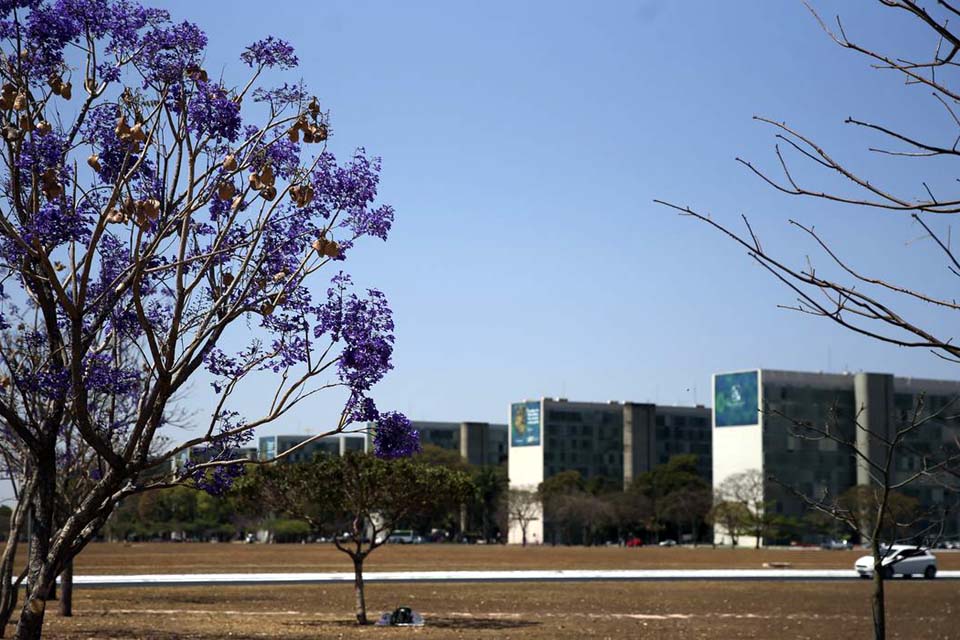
pixel 523 144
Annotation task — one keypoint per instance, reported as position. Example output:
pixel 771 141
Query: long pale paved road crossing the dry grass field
pixel 194 579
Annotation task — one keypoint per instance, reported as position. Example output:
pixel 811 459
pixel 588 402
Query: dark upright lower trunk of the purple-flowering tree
pixel 39 572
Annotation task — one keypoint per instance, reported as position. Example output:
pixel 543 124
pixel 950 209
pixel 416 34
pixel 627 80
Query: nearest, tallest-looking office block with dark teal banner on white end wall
pixel 756 425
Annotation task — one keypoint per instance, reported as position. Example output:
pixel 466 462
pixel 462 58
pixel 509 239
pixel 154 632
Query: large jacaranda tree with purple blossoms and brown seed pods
pixel 150 208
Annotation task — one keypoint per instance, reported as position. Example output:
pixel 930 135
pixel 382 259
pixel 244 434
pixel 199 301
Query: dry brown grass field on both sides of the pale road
pixel 919 609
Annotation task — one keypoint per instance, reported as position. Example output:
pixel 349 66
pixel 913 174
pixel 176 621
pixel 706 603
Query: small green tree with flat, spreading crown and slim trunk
pixel 359 499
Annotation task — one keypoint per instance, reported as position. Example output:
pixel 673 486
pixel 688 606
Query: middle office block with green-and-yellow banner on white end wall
pixel 616 440
